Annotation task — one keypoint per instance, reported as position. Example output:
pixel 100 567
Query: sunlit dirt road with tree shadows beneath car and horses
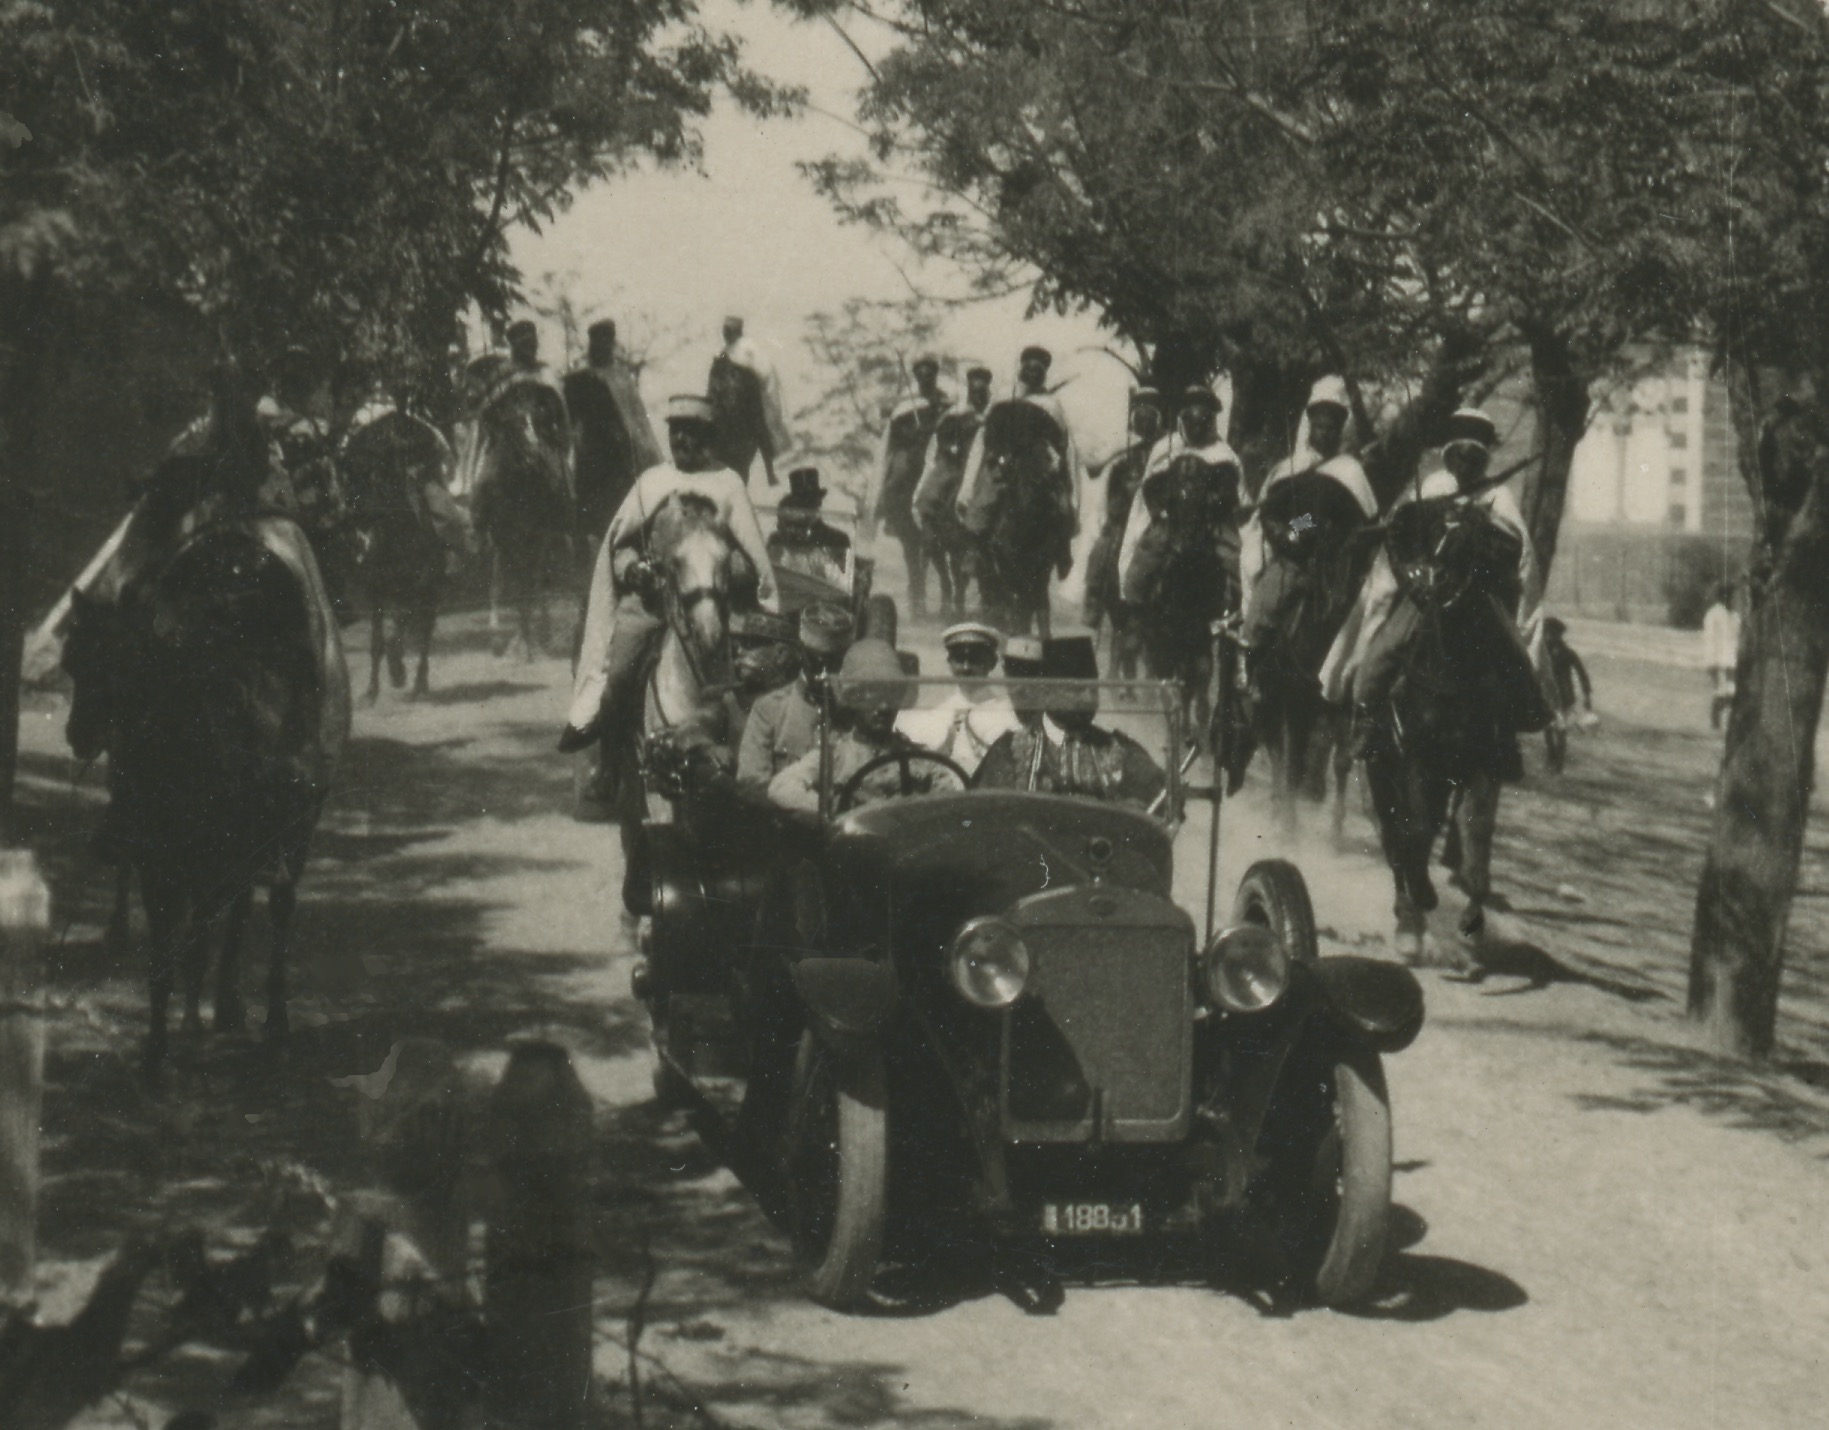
pixel 1598 1224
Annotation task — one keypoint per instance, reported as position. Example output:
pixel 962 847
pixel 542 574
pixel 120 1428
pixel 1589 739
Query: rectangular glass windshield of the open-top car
pixel 1115 742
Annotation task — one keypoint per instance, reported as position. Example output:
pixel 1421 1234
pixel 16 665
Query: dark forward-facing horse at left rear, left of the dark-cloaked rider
pixel 522 500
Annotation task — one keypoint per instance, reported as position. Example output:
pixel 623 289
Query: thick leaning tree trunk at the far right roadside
pixel 1762 795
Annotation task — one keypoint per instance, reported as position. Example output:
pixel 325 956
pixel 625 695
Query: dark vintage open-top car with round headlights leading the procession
pixel 987 1007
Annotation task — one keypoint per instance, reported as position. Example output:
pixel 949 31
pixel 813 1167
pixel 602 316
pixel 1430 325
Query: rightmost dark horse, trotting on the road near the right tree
pixel 1448 729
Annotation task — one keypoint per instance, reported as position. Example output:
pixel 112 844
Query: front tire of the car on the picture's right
pixel 1334 1202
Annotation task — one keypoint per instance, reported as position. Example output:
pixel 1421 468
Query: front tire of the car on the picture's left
pixel 839 1171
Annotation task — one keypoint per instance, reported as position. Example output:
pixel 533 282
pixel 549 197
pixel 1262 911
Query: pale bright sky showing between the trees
pixel 674 253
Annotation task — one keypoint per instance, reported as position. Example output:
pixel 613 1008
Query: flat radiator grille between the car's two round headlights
pixel 1102 1045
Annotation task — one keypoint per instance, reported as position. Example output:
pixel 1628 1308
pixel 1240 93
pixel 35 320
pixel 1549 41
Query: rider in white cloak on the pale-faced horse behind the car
pixel 623 624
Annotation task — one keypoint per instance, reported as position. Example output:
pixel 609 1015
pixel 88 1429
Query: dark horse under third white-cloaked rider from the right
pixel 1184 575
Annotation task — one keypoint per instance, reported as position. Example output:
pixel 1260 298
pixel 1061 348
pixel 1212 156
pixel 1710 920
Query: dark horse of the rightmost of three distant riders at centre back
pixel 1016 515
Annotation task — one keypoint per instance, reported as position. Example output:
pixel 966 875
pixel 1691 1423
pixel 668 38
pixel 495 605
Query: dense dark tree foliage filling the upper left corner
pixel 332 173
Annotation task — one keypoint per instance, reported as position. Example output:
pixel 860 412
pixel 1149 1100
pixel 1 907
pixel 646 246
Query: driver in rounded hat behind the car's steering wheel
pixel 872 692
